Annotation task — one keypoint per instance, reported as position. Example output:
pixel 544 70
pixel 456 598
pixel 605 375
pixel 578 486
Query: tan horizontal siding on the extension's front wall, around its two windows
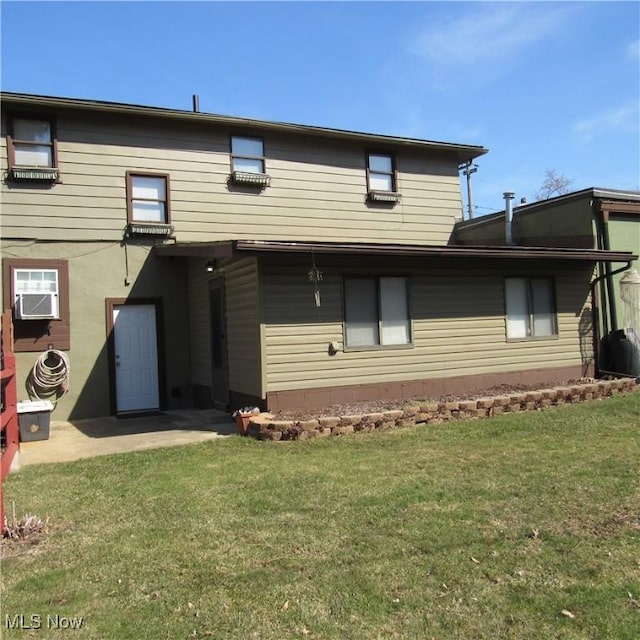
pixel 458 327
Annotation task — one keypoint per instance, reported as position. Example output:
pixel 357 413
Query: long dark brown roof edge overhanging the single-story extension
pixel 234 248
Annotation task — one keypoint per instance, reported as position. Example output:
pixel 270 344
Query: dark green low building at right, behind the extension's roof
pixel 607 219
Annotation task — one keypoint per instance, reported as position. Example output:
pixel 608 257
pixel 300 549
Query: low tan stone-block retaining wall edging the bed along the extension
pixel 265 427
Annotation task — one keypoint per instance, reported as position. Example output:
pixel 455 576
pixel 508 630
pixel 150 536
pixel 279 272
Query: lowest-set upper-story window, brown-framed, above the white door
pixel 148 203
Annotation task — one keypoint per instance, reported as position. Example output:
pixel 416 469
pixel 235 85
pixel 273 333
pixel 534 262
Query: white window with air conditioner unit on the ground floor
pixel 36 293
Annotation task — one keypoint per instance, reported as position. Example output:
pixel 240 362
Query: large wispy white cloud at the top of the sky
pixel 490 33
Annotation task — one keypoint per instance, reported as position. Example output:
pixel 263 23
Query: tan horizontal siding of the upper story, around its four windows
pixel 317 187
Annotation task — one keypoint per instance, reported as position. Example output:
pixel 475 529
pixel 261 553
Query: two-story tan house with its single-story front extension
pixel 185 259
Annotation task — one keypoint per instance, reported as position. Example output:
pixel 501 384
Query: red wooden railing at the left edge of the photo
pixel 8 405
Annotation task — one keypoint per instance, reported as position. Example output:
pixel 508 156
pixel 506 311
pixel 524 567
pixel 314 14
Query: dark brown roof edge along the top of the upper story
pixel 16 100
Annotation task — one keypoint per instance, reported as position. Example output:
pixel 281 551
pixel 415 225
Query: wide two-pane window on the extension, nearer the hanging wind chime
pixel 376 312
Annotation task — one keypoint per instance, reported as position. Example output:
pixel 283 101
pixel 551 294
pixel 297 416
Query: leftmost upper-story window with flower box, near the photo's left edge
pixel 32 149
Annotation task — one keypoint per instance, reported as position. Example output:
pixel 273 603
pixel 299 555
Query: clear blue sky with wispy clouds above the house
pixel 543 85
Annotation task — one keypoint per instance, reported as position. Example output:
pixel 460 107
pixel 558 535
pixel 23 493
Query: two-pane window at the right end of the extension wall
pixel 530 308
